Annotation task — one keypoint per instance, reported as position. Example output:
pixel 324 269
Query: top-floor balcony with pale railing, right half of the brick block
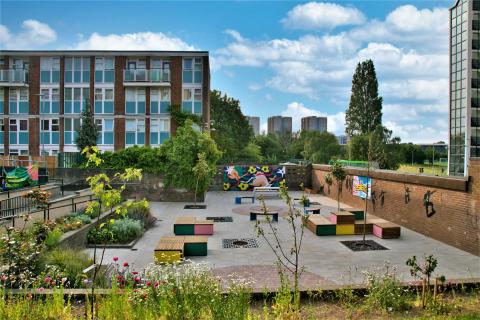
pixel 152 77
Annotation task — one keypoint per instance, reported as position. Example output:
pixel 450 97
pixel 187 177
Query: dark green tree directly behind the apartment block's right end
pixel 230 128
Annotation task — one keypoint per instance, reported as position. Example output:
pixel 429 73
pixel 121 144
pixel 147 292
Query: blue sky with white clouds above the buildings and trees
pixel 285 58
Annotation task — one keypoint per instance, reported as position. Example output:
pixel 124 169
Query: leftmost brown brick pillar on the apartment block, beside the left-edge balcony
pixel 34 98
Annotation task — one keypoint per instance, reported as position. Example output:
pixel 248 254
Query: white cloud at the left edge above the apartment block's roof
pixel 33 34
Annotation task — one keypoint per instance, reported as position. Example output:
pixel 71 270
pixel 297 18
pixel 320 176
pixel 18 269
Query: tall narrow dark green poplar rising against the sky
pixel 364 112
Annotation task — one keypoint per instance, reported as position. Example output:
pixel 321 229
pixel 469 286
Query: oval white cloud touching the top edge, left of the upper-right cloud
pixel 318 15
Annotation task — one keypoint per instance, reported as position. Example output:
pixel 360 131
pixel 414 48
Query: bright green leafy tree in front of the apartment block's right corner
pixel 181 154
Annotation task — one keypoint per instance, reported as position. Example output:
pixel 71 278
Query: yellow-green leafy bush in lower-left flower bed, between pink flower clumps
pixel 71 263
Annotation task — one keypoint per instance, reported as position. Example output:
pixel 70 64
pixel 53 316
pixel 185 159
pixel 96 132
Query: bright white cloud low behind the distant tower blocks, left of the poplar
pixel 296 110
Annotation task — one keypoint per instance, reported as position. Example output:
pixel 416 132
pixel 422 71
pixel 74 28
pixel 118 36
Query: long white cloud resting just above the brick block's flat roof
pixel 134 41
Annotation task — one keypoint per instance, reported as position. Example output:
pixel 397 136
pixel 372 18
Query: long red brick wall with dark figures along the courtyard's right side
pixel 457 218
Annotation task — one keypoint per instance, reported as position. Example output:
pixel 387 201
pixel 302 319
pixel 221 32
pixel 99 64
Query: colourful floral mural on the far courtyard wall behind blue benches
pixel 245 178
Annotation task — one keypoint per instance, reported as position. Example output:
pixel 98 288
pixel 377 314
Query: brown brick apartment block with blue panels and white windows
pixel 43 93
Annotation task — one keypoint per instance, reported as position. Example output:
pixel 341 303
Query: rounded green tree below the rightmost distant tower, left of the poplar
pixel 321 147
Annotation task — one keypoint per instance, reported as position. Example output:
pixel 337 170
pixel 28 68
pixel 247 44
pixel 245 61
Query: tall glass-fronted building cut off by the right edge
pixel 464 111
